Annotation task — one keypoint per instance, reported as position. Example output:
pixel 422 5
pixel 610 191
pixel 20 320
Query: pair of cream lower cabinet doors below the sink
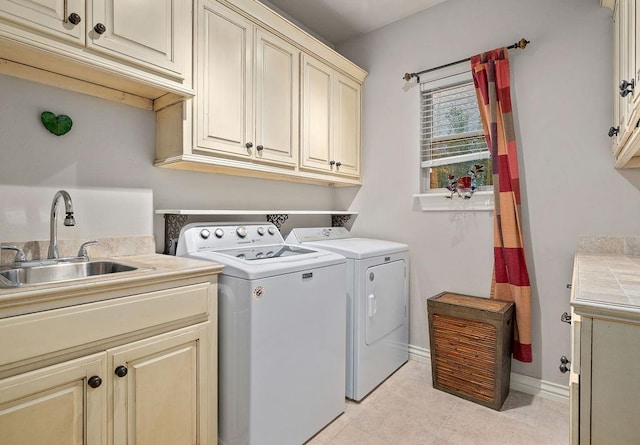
pixel 154 391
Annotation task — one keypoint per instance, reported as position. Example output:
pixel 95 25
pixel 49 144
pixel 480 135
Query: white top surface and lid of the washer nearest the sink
pixel 268 261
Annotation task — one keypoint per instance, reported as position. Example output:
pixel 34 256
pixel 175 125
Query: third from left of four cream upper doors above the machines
pixel 316 115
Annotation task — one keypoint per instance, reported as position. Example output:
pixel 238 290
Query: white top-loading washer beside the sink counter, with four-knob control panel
pixel 281 332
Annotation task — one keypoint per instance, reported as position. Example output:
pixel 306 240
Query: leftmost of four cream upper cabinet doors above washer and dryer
pixel 224 117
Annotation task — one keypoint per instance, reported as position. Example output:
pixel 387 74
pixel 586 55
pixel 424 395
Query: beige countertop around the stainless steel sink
pixel 154 270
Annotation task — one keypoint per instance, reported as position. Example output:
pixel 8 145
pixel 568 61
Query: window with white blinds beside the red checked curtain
pixel 452 142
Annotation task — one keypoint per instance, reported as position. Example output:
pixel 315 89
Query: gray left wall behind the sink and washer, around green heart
pixel 106 161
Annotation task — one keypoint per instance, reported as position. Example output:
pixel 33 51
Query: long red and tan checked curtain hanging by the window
pixel 510 277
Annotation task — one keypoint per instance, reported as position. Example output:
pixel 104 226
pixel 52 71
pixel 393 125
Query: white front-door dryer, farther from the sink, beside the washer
pixel 377 303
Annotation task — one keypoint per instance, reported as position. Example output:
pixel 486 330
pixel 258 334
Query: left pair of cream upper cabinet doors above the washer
pixel 247 104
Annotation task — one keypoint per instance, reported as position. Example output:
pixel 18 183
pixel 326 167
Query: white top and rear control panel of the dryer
pixel 339 240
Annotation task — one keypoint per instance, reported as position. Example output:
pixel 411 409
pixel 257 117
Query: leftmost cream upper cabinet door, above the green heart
pixel 47 16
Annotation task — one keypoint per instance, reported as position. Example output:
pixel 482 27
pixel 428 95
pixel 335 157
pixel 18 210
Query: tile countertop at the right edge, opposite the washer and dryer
pixel 598 291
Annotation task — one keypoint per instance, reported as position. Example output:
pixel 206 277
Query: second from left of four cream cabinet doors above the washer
pixel 277 97
